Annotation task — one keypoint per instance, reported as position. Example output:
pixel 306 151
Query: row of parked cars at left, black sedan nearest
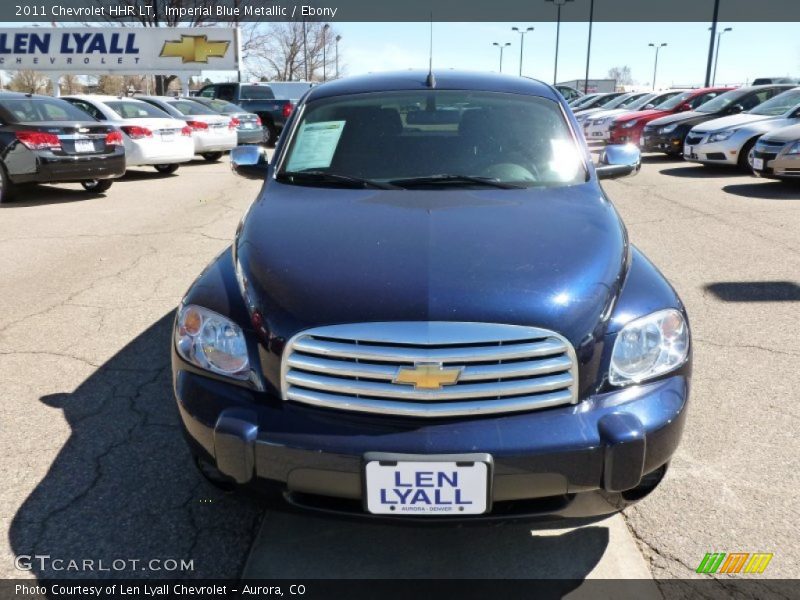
pixel 93 139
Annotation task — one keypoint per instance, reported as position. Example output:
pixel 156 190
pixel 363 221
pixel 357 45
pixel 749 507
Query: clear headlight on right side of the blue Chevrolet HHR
pixel 648 347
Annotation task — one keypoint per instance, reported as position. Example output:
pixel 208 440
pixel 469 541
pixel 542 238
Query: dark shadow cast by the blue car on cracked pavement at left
pixel 123 486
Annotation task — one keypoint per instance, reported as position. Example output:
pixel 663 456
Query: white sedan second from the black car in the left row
pixel 212 132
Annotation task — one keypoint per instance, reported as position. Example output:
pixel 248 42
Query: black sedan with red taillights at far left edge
pixel 47 140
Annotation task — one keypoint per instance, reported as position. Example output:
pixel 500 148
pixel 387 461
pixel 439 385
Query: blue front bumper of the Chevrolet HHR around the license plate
pixel 566 462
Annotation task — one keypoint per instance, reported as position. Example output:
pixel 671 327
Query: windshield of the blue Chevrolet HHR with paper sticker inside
pixel 439 138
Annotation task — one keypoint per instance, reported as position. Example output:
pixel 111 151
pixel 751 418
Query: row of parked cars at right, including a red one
pixel 754 128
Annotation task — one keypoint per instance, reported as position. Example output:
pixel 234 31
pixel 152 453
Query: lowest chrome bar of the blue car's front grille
pixel 444 409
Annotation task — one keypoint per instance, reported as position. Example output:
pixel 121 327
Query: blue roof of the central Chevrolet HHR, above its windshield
pixel 444 80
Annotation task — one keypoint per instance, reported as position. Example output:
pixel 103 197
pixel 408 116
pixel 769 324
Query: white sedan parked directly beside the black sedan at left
pixel 151 136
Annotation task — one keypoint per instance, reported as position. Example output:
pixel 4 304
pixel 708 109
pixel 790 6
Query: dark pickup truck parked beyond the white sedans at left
pixel 256 98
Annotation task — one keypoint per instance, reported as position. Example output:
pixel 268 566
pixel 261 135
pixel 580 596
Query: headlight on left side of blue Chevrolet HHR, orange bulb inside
pixel 212 342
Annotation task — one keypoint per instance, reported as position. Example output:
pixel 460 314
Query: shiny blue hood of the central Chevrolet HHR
pixel 551 258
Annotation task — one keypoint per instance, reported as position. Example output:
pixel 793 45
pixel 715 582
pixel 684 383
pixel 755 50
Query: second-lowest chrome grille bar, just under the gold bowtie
pixel 454 392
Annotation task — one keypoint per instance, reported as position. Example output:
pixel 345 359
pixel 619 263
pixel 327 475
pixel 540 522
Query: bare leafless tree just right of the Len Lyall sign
pixel 276 51
